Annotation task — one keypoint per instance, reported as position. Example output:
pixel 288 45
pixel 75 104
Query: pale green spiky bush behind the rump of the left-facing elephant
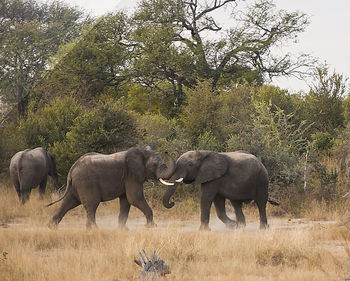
pixel 274 139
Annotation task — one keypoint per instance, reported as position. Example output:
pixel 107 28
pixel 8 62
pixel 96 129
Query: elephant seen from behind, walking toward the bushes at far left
pixel 30 168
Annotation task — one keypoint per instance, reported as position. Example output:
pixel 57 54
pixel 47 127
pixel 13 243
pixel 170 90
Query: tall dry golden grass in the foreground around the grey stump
pixel 71 255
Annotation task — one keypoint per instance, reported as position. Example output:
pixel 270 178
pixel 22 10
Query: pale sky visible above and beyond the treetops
pixel 327 37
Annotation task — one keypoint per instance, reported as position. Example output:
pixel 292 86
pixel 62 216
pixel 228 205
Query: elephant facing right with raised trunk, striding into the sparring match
pixel 96 178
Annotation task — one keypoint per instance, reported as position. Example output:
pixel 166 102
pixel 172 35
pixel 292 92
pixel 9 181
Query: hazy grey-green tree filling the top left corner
pixel 30 34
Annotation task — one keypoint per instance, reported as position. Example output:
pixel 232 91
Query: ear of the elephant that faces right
pixel 135 162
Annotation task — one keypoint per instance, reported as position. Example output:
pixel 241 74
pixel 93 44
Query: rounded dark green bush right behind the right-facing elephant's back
pixel 107 128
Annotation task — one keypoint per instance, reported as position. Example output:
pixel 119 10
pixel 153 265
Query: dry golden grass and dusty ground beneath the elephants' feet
pixel 291 249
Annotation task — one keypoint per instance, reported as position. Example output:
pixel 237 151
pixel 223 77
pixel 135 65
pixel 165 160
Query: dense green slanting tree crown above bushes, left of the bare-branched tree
pixel 95 64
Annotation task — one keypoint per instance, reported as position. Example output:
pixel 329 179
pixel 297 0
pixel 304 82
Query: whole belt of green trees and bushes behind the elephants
pixel 170 76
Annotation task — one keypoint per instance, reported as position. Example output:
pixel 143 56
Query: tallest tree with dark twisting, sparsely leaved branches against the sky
pixel 179 41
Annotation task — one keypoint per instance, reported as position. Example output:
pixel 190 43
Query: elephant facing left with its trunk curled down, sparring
pixel 238 176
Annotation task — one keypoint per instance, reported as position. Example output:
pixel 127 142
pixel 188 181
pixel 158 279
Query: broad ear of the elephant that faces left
pixel 214 165
